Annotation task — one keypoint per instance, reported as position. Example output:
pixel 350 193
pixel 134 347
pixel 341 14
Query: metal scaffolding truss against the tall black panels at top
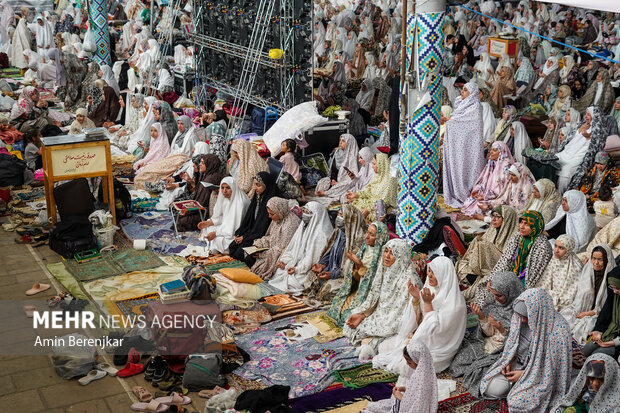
pixel 278 18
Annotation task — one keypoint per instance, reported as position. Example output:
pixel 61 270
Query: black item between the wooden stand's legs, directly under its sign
pixel 74 198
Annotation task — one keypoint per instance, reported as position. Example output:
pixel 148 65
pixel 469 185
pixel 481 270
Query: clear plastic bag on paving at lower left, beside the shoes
pixel 71 360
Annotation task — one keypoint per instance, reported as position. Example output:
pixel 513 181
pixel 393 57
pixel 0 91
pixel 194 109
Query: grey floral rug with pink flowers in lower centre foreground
pixel 306 366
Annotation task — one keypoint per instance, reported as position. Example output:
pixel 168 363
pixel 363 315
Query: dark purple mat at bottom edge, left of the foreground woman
pixel 339 398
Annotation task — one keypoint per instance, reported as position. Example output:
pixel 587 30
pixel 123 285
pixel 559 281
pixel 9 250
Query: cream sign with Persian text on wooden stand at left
pixel 79 161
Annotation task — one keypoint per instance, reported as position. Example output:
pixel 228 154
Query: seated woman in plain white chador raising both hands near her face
pixel 434 316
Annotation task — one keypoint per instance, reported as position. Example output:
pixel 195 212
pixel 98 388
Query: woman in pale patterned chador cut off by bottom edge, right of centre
pixel 417 392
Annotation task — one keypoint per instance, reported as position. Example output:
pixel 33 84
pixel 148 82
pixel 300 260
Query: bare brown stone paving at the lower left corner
pixel 30 383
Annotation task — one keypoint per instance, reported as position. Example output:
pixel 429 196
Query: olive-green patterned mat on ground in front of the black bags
pixel 113 264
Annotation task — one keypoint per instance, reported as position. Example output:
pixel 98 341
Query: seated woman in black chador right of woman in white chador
pixel 256 219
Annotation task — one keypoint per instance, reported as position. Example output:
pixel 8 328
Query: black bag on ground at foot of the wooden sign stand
pixel 72 234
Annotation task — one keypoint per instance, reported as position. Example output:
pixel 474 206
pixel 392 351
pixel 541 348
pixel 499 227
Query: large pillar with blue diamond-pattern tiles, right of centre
pixel 419 144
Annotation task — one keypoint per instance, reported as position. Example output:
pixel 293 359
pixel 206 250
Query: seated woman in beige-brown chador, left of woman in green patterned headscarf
pixel 485 250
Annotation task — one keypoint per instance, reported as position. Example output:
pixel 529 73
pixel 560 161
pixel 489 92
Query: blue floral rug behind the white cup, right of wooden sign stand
pixel 156 228
